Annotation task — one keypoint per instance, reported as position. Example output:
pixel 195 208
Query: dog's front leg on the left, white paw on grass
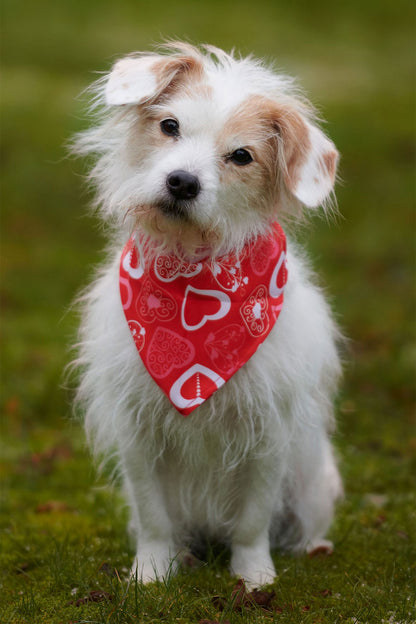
pixel 155 548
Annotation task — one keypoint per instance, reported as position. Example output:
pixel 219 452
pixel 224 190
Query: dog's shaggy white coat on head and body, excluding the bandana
pixel 252 466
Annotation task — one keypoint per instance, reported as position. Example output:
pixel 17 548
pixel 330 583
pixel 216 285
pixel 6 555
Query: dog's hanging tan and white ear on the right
pixel 310 160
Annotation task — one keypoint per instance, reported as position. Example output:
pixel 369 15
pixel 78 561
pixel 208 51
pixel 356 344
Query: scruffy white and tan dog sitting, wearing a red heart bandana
pixel 208 354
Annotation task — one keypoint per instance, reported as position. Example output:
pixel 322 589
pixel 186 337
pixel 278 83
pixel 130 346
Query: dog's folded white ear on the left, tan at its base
pixel 136 80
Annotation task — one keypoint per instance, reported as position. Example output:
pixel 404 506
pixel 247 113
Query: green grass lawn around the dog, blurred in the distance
pixel 64 548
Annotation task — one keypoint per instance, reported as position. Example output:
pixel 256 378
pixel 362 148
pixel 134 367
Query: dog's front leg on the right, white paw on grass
pixel 250 545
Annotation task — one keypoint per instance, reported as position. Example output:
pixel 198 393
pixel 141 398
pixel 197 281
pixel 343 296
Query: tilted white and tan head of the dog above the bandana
pixel 203 150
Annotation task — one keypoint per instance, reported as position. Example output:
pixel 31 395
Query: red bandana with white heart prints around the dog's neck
pixel 195 324
